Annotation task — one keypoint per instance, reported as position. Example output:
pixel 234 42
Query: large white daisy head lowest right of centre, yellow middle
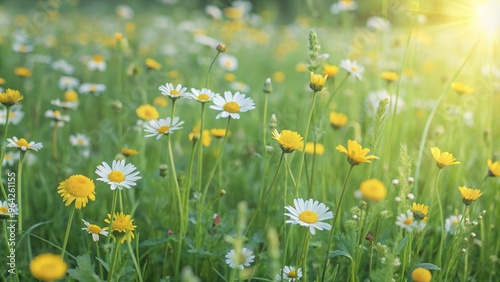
pixel 309 214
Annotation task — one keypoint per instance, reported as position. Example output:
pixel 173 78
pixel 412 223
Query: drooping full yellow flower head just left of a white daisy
pixel 77 188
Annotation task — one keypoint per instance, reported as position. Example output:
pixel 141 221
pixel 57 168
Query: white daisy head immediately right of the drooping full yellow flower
pixel 118 175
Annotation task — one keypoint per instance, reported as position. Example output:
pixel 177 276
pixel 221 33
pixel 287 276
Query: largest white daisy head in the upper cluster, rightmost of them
pixel 231 105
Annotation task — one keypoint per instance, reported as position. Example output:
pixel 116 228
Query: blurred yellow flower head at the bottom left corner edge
pixel 48 267
